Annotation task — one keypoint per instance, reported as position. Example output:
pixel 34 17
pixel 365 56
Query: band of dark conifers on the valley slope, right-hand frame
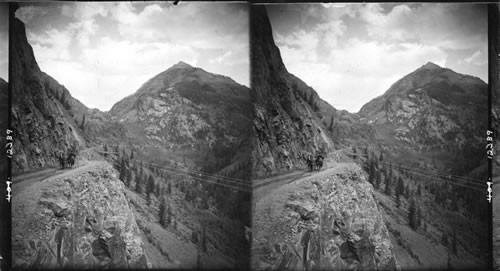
pixel 412 192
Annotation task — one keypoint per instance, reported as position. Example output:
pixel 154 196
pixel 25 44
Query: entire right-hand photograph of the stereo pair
pixel 370 125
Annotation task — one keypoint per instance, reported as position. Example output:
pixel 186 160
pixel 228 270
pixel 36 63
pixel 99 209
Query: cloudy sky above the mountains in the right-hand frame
pixel 352 53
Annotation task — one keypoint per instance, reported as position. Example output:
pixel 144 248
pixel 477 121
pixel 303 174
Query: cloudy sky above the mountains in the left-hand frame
pixel 103 52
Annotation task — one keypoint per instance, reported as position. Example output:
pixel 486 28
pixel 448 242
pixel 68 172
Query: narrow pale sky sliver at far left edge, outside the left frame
pixel 4 41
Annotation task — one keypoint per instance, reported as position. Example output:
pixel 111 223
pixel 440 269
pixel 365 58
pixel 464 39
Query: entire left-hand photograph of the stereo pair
pixel 133 135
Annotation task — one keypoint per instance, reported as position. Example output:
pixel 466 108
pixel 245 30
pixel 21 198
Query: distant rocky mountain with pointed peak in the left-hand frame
pixel 189 110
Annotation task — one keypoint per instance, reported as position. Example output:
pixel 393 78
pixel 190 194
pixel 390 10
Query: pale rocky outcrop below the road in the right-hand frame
pixel 330 222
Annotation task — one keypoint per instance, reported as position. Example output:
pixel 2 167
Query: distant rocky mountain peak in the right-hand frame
pixel 432 107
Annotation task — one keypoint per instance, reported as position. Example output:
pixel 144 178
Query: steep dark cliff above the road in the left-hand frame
pixel 44 115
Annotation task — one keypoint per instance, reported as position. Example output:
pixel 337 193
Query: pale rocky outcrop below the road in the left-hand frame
pixel 82 220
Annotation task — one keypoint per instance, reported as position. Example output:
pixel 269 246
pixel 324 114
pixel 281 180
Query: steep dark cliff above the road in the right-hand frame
pixel 287 113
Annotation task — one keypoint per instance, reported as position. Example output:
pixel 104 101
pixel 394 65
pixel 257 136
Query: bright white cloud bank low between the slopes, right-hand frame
pixel 361 70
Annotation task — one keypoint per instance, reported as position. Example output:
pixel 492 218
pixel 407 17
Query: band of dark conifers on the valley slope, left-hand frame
pixel 158 181
